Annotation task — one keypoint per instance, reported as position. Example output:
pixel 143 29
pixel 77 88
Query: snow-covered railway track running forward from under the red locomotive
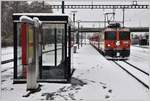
pixel 137 73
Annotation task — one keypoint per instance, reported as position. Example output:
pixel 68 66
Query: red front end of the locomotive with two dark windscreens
pixel 117 42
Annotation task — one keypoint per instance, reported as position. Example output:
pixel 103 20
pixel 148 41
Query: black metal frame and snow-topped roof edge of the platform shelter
pixel 46 19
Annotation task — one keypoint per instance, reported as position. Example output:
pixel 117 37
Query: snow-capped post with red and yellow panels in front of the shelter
pixel 30 49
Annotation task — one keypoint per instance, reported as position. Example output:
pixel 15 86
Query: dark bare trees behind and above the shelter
pixel 10 7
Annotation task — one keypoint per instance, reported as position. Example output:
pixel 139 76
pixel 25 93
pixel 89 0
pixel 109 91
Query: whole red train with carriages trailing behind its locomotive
pixel 113 42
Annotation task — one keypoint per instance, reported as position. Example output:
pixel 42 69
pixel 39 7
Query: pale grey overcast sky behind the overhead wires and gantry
pixel 134 18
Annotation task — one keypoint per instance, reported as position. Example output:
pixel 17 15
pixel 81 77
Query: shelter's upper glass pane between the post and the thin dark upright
pixel 48 46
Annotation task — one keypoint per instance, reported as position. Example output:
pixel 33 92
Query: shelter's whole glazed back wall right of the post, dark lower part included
pixel 53 51
